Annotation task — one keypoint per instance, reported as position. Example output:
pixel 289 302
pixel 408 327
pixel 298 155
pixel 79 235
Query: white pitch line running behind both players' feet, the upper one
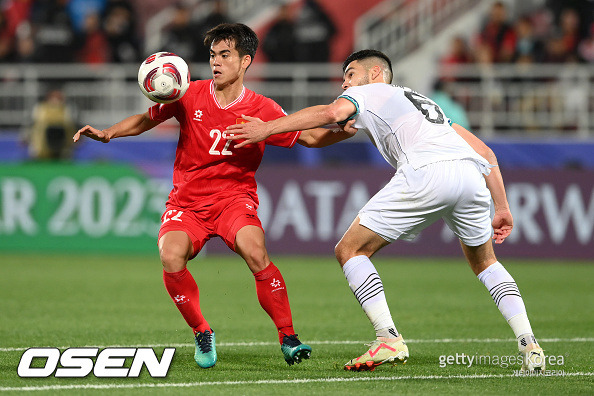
pixel 328 342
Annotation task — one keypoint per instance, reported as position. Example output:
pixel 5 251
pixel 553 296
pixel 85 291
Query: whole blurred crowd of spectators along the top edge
pixel 100 31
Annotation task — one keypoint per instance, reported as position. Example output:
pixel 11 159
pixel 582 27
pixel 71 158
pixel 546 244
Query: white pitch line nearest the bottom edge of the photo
pixel 268 382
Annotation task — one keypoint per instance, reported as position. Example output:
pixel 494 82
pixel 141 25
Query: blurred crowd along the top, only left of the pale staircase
pixel 102 31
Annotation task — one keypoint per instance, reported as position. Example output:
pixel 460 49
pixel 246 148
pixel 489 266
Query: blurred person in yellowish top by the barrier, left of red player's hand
pixel 52 129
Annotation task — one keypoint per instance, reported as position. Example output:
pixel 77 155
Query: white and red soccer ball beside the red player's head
pixel 164 77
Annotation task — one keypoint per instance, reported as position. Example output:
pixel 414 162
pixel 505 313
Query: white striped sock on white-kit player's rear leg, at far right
pixel 506 295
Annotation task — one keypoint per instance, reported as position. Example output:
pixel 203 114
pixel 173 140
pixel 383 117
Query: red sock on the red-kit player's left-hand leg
pixel 183 289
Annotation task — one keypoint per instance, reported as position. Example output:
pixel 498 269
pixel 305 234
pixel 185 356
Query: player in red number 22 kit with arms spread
pixel 214 189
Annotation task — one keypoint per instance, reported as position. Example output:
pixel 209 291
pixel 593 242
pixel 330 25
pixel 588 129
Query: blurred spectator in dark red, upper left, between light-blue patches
pixel 94 47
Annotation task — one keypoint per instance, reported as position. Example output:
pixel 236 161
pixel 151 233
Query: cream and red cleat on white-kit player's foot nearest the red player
pixel 380 351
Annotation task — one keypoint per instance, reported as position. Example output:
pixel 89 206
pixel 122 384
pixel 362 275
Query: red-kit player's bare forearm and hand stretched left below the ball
pixel 131 126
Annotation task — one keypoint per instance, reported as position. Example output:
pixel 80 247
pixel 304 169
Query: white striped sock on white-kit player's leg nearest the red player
pixel 367 286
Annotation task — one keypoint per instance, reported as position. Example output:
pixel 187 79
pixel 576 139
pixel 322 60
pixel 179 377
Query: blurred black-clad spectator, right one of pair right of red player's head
pixel 315 30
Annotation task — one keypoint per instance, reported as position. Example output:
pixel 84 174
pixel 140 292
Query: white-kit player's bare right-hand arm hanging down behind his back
pixel 502 220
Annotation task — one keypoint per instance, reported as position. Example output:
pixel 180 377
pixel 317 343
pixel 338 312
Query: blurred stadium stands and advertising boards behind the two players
pixel 527 94
